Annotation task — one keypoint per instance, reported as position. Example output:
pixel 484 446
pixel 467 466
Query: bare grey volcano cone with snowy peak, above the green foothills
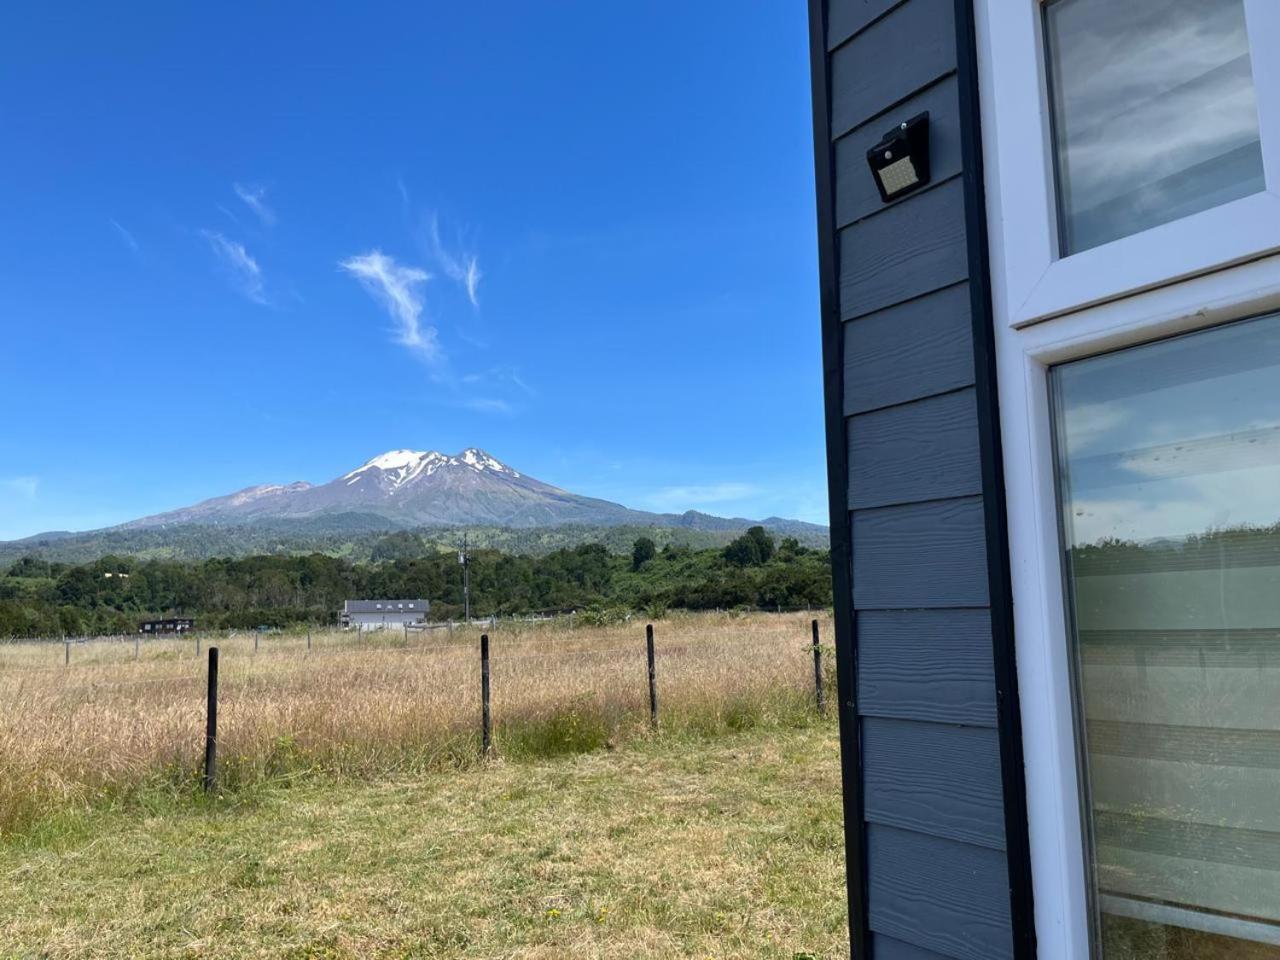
pixel 414 488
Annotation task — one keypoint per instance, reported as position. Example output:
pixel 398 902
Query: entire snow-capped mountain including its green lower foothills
pixel 432 495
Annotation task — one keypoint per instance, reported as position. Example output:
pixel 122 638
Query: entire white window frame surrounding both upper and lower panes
pixel 1200 272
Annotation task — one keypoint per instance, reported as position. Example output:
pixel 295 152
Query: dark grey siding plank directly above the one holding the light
pixel 890 61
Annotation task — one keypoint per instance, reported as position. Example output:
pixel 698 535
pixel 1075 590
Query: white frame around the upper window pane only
pixel 1036 282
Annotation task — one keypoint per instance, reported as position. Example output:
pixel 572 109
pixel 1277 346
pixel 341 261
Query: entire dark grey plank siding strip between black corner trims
pixel 931 781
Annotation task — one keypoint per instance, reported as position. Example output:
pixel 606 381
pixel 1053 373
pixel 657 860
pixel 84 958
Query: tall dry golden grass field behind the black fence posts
pixel 109 729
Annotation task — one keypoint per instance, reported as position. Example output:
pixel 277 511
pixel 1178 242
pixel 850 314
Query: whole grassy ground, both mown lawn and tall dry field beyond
pixel 356 819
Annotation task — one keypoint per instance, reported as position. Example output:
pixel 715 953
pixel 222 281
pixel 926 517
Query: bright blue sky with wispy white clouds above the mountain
pixel 245 245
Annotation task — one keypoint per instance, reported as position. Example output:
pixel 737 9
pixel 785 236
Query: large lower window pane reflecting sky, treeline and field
pixel 1169 472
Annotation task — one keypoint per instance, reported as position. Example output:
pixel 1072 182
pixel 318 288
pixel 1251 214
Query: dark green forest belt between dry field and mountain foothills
pixel 113 595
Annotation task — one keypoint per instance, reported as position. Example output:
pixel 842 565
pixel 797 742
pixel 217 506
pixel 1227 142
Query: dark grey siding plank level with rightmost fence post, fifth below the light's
pixel 927 665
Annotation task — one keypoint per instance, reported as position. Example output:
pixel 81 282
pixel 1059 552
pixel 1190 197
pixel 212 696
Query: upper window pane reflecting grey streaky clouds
pixel 1154 113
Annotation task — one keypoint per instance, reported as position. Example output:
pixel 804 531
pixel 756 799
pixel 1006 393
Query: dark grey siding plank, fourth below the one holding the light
pixel 921 556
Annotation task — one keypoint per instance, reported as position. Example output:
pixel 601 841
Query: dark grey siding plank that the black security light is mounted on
pixel 857 195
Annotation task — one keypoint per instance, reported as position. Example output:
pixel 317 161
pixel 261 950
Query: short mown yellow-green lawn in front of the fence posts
pixel 675 847
